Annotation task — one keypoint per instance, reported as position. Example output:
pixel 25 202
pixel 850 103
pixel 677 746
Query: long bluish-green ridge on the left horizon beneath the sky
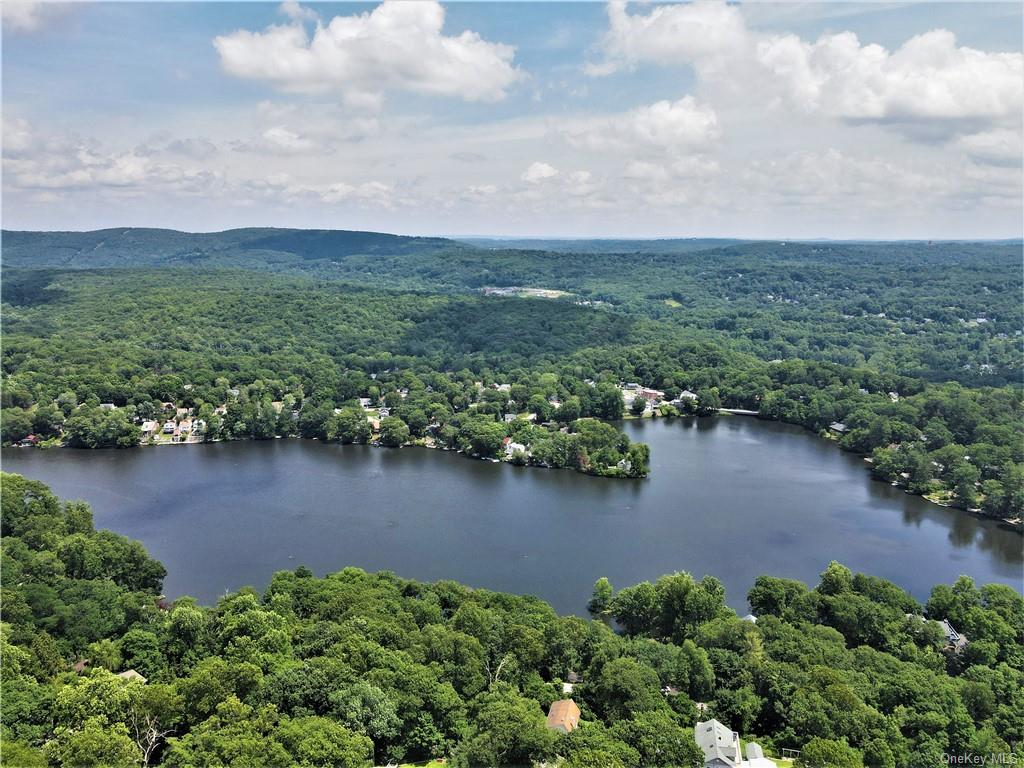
pixel 252 248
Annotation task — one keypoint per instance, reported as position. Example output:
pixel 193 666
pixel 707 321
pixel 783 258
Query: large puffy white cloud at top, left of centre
pixel 398 47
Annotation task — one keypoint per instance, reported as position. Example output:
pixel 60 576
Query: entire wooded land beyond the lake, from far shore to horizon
pixel 909 354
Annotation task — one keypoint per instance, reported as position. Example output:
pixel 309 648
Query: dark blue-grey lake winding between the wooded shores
pixel 732 497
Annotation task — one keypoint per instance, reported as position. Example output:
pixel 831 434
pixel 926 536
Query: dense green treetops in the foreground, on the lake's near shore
pixel 356 669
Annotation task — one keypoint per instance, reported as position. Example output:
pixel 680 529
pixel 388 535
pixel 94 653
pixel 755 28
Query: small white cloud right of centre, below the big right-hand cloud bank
pixel 674 126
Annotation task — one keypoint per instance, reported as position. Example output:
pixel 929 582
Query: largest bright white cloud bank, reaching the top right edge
pixel 929 87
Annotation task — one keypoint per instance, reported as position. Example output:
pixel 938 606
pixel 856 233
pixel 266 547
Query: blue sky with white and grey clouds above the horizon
pixel 796 120
